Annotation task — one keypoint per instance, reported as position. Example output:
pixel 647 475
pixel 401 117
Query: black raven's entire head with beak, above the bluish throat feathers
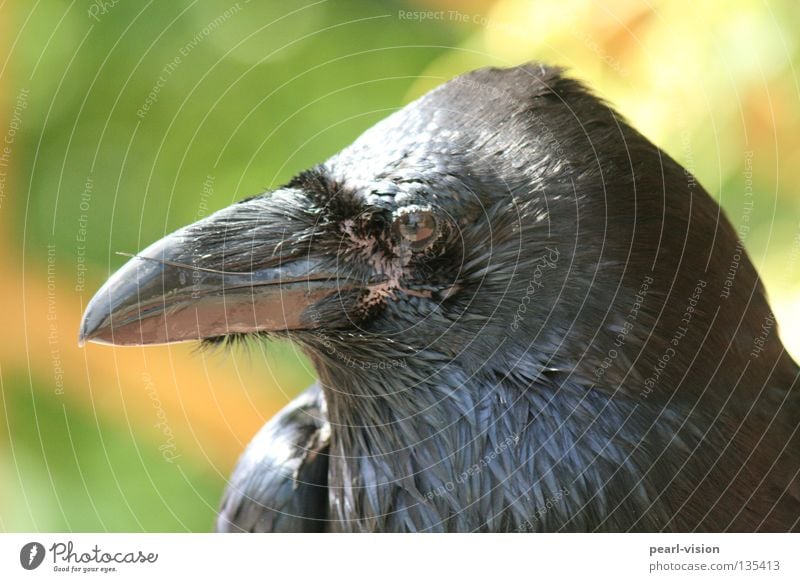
pixel 506 221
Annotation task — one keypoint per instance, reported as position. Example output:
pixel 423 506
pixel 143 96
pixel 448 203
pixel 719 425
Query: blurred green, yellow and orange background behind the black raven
pixel 121 121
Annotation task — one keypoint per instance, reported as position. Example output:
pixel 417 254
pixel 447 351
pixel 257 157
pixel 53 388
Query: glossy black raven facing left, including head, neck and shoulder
pixel 524 316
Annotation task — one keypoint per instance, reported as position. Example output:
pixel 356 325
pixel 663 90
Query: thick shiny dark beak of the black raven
pixel 175 290
